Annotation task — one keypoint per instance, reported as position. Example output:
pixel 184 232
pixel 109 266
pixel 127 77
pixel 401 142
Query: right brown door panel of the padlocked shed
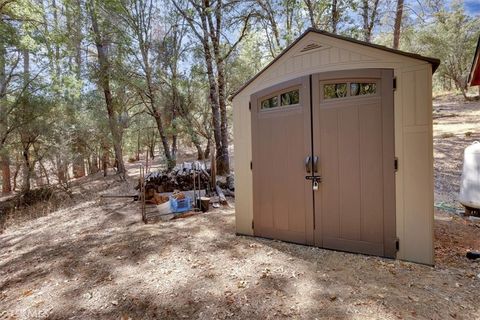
pixel 353 137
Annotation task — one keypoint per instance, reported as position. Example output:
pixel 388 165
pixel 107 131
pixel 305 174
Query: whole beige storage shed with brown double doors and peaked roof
pixel 333 148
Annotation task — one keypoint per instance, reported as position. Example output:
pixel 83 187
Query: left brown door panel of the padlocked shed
pixel 281 139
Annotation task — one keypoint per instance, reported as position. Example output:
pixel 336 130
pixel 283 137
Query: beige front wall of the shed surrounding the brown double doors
pixel 413 133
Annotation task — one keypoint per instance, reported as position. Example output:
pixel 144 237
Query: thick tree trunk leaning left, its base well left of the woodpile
pixel 102 54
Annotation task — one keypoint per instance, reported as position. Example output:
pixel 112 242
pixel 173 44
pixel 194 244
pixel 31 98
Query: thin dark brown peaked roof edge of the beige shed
pixel 435 62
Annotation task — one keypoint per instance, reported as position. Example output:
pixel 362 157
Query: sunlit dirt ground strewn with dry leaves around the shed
pixel 95 259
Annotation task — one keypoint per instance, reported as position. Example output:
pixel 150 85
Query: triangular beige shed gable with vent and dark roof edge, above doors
pixel 319 51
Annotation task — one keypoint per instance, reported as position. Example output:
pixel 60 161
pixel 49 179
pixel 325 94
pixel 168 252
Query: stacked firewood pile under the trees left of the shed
pixel 180 178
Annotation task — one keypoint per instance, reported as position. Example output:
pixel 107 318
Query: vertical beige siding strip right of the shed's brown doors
pixel 416 174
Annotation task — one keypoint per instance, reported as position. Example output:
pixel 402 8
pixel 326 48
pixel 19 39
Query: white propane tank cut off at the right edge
pixel 470 183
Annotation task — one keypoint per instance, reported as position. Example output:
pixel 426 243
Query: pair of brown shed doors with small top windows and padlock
pixel 323 161
